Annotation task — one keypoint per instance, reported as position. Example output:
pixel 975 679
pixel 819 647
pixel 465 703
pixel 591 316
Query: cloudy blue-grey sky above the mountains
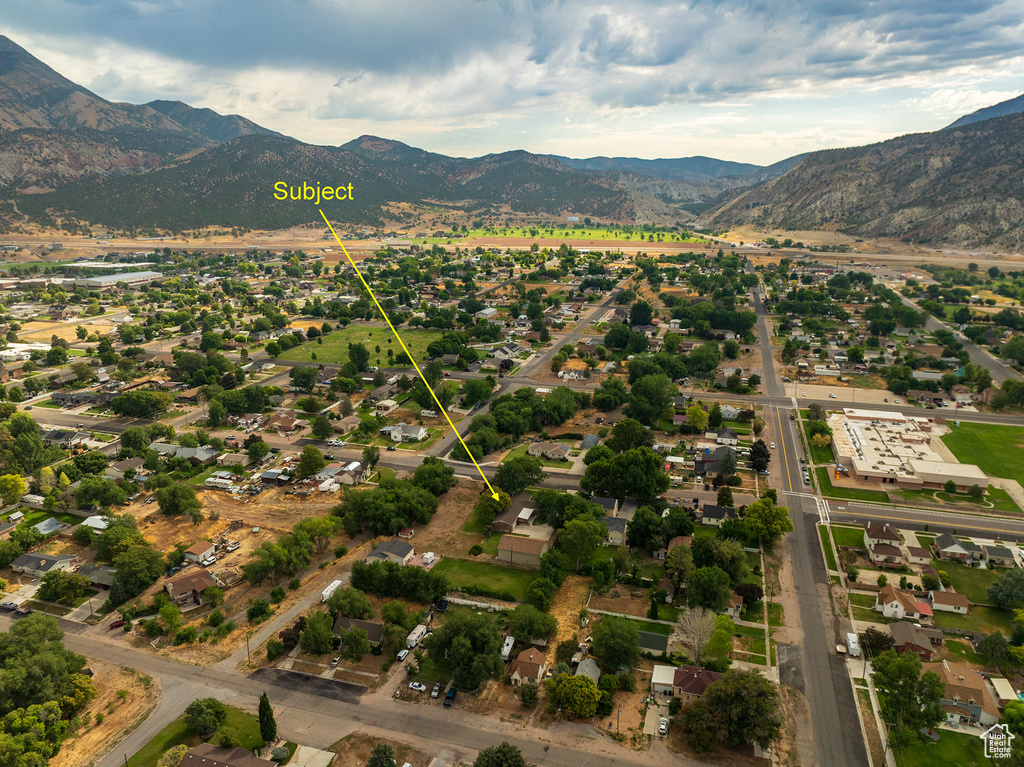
pixel 752 81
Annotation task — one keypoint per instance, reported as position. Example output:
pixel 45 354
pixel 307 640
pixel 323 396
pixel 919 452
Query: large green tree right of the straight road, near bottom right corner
pixel 910 701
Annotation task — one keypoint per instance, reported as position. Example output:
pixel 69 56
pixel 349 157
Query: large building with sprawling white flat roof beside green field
pixel 894 449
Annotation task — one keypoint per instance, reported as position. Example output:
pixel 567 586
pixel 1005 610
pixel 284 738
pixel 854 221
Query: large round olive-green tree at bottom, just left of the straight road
pixel 746 707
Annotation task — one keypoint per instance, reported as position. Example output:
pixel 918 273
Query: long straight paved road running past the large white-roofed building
pixel 814 668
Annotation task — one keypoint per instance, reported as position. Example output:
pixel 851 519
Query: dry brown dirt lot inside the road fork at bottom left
pixel 120 717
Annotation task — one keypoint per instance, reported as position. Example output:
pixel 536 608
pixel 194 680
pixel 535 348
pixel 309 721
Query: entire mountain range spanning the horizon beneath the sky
pixel 72 158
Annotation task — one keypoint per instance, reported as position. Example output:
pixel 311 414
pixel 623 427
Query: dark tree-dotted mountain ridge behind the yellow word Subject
pixel 233 185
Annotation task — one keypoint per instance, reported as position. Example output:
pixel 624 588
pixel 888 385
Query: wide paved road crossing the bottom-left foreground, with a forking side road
pixel 318 713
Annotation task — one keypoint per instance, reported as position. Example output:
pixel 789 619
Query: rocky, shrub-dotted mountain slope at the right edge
pixel 960 186
